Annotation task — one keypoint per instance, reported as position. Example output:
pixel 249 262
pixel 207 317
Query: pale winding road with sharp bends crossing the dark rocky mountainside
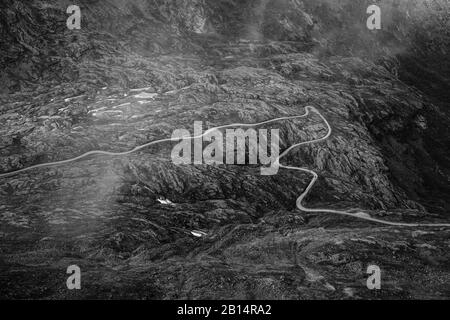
pixel 358 215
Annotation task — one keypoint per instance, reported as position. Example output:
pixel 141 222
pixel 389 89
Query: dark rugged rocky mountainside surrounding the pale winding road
pixel 137 70
